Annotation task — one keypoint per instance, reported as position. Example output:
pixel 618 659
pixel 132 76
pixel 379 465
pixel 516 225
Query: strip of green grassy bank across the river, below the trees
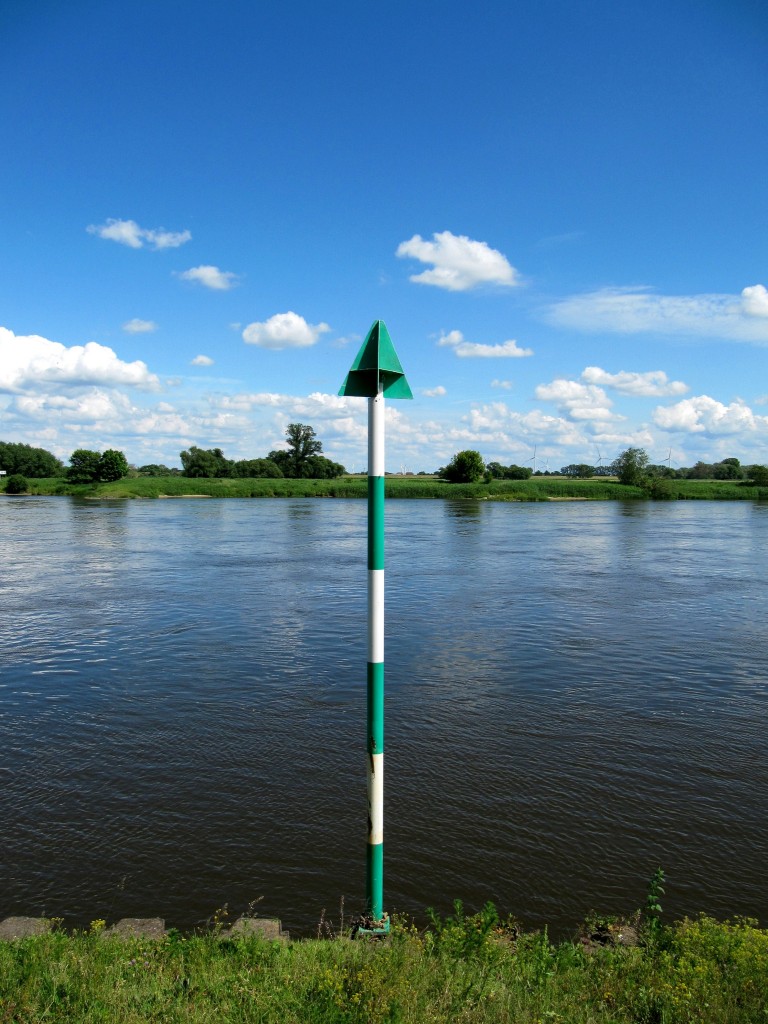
pixel 540 489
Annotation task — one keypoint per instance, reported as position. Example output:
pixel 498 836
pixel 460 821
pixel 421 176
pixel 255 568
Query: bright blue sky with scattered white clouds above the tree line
pixel 559 209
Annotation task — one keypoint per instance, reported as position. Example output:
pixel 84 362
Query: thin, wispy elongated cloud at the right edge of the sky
pixel 637 311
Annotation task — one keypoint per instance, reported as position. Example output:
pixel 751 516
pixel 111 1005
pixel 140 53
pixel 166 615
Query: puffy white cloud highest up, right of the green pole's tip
pixel 458 263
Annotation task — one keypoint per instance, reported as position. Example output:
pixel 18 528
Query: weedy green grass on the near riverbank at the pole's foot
pixel 465 969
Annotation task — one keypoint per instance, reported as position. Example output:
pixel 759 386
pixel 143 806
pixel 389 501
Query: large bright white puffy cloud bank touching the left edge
pixel 29 361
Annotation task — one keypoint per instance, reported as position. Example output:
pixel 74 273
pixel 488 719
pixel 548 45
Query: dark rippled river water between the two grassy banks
pixel 577 694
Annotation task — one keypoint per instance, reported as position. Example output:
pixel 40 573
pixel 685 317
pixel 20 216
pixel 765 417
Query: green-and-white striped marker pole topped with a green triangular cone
pixel 375 374
